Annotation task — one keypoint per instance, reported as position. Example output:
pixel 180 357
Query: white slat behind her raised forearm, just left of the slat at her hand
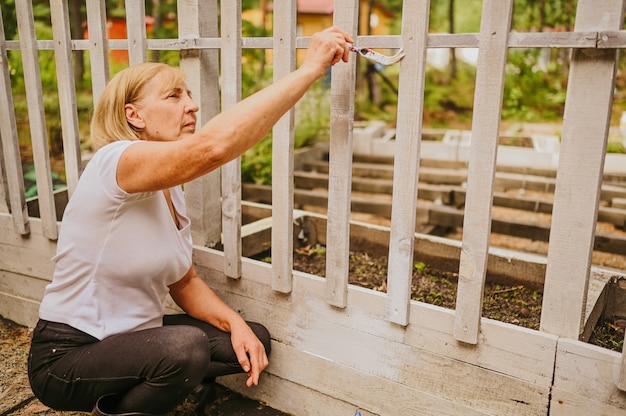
pixel 282 152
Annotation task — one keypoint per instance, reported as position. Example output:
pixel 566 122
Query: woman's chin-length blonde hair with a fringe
pixel 109 123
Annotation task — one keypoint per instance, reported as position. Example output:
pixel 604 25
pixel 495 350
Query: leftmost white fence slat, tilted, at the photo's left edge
pixel 11 180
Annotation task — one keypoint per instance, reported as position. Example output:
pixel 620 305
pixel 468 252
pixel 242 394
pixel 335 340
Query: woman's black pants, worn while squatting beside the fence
pixel 153 369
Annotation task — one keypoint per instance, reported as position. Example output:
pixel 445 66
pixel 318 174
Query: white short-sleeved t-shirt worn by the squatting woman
pixel 116 254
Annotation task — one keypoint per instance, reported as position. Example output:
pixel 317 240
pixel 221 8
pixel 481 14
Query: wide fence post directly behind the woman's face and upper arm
pixel 200 19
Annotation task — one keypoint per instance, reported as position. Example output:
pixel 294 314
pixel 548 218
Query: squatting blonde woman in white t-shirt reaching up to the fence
pixel 102 341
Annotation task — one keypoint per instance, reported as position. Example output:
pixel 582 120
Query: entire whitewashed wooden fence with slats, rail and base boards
pixel 337 347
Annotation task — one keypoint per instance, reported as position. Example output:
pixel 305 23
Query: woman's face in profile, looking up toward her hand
pixel 163 114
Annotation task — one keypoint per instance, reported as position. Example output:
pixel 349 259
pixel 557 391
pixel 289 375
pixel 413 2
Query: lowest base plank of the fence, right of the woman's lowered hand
pixel 343 390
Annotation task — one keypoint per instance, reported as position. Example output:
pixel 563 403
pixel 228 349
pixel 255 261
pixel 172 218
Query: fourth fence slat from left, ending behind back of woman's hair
pixel 98 47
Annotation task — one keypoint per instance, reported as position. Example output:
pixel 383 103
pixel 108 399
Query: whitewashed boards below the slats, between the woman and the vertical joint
pixel 426 359
